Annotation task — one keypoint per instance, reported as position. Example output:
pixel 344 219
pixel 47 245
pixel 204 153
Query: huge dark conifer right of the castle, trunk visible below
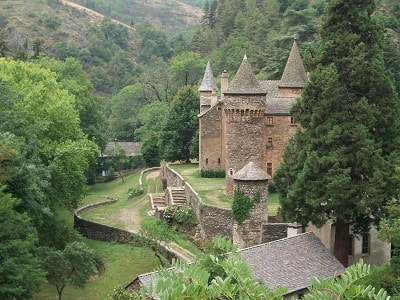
pixel 342 166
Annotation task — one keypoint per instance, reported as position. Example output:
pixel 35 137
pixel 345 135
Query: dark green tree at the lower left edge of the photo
pixel 20 269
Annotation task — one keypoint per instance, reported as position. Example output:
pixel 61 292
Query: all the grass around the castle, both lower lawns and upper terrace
pixel 123 262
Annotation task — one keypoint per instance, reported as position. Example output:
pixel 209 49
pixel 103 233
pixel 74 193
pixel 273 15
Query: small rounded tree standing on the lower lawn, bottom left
pixel 74 265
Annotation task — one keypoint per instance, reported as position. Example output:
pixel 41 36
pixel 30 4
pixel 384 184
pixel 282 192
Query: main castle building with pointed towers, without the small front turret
pixel 251 119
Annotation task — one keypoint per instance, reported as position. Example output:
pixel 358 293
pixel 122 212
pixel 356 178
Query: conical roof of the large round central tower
pixel 245 82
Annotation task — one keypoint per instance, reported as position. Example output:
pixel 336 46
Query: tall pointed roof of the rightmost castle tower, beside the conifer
pixel 295 74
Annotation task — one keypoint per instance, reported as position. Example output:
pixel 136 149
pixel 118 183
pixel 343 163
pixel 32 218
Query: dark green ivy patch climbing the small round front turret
pixel 242 204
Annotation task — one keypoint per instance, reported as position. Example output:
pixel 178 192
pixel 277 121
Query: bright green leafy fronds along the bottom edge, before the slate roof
pixel 222 274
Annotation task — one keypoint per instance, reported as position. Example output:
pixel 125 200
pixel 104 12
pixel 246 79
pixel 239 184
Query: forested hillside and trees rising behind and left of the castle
pixel 72 79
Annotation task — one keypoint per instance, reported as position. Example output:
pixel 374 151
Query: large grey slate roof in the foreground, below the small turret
pixel 292 262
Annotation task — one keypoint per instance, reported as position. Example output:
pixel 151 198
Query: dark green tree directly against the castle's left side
pixel 181 126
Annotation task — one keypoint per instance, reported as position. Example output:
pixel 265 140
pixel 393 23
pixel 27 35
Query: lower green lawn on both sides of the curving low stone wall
pixel 123 262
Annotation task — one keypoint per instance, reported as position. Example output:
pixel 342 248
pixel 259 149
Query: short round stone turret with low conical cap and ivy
pixel 251 182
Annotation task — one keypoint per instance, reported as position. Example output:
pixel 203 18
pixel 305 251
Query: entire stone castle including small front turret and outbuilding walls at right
pixel 244 131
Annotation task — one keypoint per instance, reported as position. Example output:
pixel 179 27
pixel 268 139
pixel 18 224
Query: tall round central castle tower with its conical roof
pixel 244 105
